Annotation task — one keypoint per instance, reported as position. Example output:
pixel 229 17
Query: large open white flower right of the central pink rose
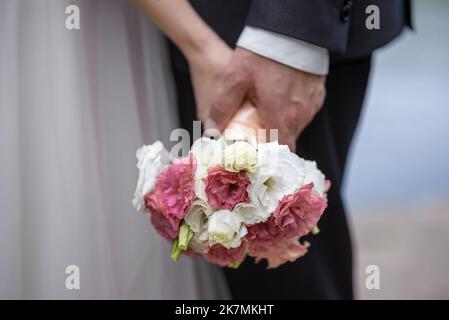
pixel 279 173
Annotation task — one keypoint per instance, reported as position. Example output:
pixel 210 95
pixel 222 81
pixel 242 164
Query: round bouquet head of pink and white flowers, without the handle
pixel 230 198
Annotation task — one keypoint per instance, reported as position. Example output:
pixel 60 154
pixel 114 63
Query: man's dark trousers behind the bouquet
pixel 325 272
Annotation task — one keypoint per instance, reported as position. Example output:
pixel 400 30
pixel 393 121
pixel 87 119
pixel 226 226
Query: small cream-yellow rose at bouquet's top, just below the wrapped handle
pixel 240 155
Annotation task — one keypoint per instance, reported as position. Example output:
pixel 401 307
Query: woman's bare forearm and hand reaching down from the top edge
pixel 205 51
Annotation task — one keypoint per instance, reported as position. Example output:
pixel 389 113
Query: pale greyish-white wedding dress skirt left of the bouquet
pixel 74 107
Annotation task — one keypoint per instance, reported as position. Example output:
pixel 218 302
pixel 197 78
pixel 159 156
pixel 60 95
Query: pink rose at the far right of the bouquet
pixel 299 212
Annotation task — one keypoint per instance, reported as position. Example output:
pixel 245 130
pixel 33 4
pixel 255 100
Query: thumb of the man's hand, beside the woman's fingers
pixel 225 102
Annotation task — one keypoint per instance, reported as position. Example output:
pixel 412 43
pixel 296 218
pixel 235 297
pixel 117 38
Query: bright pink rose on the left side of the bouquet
pixel 175 188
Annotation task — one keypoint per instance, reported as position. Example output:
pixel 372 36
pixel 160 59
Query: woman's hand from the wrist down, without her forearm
pixel 206 68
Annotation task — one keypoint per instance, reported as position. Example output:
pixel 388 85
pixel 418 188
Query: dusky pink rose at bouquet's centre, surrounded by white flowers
pixel 225 189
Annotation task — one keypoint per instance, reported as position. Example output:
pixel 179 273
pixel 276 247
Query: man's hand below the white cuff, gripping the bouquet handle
pixel 287 99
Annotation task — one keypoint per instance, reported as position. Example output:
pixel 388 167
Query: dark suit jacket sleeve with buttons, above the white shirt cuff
pixel 338 25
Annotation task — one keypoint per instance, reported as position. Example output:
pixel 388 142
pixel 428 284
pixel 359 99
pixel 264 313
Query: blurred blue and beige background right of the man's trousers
pixel 397 183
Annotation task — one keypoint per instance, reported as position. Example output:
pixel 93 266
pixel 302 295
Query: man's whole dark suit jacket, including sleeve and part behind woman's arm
pixel 338 25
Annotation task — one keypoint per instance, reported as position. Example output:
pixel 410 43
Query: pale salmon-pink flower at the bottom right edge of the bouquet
pixel 279 251
